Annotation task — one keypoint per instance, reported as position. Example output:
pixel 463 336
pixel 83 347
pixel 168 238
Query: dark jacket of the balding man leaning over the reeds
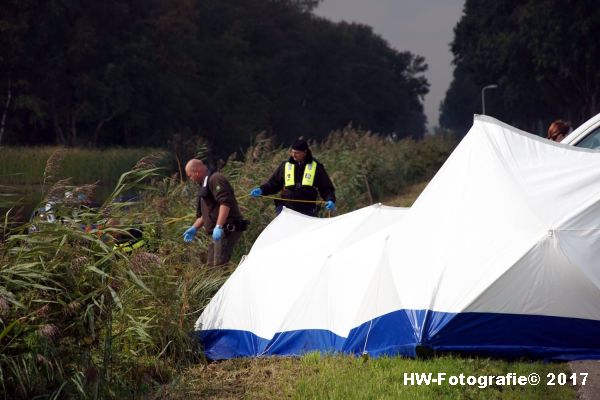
pixel 217 191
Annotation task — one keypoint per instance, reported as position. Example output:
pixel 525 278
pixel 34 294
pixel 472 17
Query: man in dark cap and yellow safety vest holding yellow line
pixel 299 178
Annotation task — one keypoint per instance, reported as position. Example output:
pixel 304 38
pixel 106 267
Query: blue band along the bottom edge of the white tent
pixel 402 332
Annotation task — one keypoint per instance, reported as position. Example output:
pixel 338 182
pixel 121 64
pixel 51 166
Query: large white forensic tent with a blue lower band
pixel 499 256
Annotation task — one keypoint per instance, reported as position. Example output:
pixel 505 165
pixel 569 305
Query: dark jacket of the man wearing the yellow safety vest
pixel 322 185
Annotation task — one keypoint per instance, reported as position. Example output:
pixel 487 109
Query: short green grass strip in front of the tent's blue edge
pixel 315 376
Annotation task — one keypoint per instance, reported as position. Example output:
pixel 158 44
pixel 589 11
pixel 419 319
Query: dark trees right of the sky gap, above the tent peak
pixel 542 54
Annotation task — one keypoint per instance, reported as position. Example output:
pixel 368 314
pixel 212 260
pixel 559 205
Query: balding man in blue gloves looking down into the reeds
pixel 217 211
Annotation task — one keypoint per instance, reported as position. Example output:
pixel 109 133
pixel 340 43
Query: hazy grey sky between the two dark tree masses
pixel 423 27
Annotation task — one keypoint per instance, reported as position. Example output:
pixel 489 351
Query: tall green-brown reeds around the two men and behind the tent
pixel 80 319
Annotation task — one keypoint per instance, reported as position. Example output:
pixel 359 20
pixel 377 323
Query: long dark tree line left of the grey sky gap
pixel 139 72
